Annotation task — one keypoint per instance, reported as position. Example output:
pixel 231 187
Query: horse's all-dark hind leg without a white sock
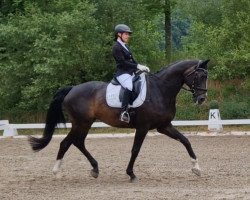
pixel 79 142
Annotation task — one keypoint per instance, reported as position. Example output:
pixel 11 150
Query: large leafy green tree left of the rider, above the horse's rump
pixel 41 52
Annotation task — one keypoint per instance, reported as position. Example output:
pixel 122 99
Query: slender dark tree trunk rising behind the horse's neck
pixel 168 34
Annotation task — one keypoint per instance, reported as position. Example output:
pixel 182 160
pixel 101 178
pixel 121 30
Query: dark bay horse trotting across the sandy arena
pixel 86 103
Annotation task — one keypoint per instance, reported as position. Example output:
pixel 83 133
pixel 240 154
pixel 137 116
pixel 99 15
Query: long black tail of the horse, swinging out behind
pixel 54 115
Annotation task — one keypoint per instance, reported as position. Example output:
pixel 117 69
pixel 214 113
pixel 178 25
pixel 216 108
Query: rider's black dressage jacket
pixel 125 62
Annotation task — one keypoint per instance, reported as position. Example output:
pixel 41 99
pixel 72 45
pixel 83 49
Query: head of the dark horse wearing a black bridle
pixel 196 80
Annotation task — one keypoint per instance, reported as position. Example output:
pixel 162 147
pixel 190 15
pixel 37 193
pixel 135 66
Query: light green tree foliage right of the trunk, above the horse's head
pixel 222 35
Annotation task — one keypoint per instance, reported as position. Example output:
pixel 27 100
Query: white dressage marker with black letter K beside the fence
pixel 214 122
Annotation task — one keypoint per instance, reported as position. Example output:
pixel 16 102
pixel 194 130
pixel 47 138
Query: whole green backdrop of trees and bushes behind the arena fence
pixel 46 45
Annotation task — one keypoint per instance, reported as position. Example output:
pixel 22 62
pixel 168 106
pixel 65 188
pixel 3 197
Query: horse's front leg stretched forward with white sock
pixel 175 134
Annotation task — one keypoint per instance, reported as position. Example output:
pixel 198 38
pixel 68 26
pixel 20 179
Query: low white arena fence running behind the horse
pixel 213 125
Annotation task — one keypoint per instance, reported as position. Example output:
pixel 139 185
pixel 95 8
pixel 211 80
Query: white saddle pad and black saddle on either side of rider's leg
pixel 115 92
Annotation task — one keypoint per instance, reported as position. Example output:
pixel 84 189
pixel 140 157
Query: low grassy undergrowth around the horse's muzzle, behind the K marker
pixel 232 98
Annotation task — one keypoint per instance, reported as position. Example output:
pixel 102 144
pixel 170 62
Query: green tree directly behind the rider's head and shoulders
pixel 146 38
